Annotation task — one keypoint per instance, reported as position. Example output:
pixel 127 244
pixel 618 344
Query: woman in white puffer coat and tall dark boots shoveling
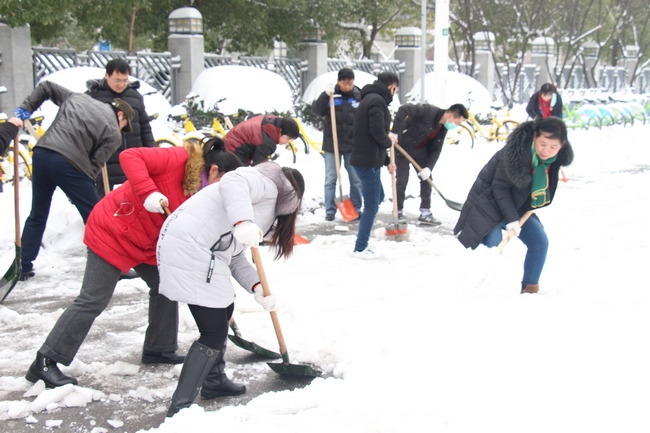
pixel 201 246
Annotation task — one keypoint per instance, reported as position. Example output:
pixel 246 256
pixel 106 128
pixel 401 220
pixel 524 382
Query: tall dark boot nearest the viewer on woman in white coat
pixel 199 361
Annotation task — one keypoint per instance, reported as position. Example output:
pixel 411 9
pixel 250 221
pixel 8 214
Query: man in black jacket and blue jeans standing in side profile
pixel 369 152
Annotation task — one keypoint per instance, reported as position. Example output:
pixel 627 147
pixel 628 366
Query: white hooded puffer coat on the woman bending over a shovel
pixel 197 253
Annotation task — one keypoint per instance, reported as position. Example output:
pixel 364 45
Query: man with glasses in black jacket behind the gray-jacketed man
pixel 115 84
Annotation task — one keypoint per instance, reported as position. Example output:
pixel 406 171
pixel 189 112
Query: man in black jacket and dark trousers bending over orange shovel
pixel 421 130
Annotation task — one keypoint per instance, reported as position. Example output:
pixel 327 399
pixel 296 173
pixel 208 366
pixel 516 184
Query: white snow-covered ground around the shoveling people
pixel 428 337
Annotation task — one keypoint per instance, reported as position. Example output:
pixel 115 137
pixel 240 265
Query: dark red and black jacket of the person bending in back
pixel 254 139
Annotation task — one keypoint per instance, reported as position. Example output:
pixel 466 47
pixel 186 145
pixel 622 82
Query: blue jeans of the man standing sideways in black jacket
pixel 373 195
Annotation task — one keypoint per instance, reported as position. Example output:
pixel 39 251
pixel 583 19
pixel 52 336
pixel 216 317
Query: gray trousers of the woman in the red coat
pixel 100 279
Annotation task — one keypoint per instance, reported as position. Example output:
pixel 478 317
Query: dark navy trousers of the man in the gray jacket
pixel 51 170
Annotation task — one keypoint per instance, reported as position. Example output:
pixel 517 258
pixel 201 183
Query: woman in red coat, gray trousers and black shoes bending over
pixel 122 233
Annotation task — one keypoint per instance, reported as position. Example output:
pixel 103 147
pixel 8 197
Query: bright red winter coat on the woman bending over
pixel 120 230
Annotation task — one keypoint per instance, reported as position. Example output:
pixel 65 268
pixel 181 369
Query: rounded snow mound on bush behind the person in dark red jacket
pixel 235 87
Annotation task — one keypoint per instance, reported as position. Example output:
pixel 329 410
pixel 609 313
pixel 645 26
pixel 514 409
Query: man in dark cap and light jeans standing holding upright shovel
pixel 346 101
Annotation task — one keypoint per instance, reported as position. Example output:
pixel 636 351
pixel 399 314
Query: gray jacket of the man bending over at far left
pixel 85 131
